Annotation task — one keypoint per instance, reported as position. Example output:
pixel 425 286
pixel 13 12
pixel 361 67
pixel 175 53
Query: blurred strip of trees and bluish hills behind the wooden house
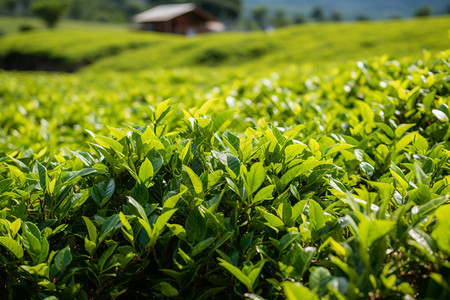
pixel 236 14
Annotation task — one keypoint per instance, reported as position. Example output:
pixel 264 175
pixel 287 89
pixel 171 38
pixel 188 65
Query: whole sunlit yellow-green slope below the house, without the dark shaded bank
pixel 311 43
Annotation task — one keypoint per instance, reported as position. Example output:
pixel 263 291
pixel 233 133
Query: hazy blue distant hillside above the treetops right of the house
pixel 379 9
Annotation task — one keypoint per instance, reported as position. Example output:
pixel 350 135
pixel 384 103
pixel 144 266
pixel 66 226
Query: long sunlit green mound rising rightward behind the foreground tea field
pixel 315 44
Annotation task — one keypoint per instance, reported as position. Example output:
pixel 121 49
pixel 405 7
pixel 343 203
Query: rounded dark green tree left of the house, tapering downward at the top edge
pixel 50 11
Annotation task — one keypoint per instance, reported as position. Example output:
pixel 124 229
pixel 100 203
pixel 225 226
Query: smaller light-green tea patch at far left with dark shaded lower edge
pixel 66 47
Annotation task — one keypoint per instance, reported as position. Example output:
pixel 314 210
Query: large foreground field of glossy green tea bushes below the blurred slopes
pixel 278 182
